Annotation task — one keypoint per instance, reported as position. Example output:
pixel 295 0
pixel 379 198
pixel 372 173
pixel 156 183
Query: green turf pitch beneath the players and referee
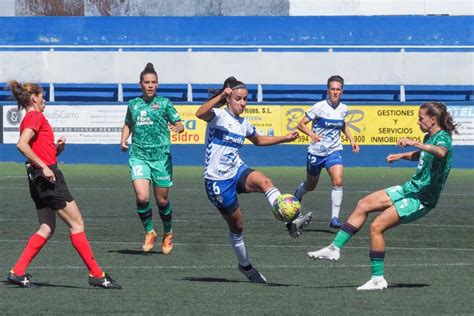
pixel 429 263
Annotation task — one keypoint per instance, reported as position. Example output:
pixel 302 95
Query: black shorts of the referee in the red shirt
pixel 47 194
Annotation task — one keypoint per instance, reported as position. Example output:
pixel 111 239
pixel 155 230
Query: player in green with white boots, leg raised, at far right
pixel 404 203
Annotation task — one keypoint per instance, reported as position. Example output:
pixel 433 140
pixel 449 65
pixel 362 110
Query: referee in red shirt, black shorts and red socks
pixel 48 189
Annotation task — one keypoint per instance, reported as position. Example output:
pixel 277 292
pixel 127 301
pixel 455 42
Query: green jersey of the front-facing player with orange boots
pixel 149 126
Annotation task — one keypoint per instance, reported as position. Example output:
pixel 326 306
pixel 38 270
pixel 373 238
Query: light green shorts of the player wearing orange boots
pixel 159 172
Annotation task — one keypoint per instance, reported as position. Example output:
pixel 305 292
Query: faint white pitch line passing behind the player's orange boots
pixel 249 246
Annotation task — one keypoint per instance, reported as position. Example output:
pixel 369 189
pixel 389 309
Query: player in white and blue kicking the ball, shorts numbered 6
pixel 226 175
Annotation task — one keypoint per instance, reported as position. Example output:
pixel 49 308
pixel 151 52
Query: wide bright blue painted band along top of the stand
pixel 329 30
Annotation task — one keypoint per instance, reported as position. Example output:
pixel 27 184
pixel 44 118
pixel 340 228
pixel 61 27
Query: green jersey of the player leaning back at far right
pixel 432 172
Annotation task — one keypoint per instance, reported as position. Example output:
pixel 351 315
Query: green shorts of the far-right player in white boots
pixel 408 206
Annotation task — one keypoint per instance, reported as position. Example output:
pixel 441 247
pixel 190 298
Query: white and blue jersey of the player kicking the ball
pixel 225 136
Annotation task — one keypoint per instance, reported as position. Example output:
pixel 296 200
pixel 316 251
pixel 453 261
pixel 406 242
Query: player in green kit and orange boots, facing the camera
pixel 149 120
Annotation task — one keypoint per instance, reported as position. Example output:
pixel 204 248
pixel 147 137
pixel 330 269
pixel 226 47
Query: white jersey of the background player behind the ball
pixel 327 122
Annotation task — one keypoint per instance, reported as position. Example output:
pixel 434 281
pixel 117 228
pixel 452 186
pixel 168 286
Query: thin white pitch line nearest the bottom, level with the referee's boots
pixel 309 266
